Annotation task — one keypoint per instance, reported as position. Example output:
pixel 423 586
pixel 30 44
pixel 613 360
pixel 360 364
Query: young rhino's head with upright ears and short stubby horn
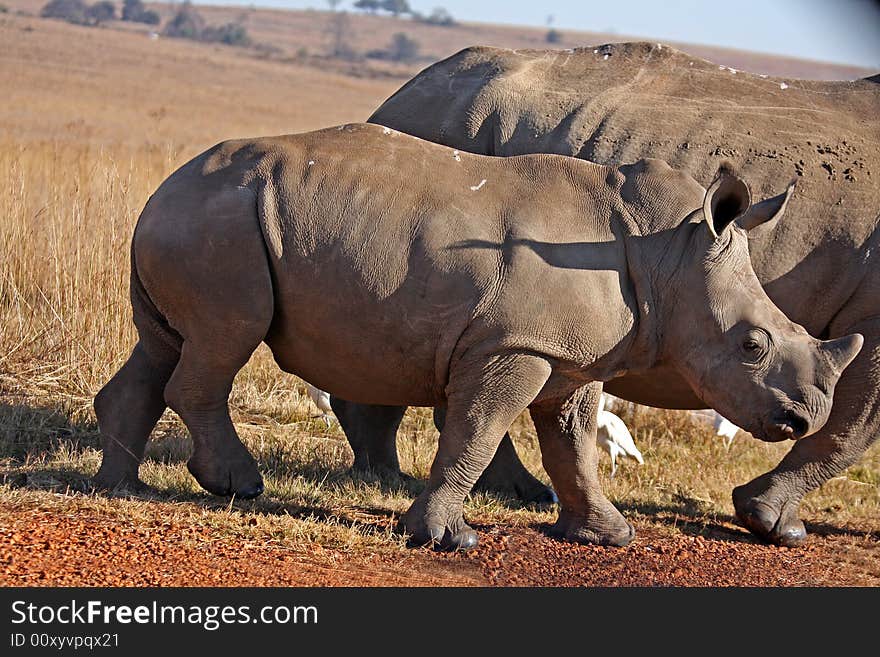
pixel 735 348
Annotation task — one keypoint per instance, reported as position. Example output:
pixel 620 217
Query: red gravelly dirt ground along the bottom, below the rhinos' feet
pixel 44 548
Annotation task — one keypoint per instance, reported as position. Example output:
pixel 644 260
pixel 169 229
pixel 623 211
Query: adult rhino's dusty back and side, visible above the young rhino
pixel 618 103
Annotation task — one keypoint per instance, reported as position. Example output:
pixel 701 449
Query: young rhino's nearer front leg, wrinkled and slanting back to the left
pixel 484 398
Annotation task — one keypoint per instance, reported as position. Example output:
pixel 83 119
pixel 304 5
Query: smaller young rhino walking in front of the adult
pixel 390 270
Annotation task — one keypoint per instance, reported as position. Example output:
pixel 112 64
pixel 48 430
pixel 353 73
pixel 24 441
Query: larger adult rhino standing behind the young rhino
pixel 621 102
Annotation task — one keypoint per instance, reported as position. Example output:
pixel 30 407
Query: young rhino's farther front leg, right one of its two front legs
pixel 567 433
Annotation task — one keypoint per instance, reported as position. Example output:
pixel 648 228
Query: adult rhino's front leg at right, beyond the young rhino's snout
pixel 768 505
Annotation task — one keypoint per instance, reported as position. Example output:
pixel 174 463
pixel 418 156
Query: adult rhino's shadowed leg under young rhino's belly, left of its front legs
pixel 371 431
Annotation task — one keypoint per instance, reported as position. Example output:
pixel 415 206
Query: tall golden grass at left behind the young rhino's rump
pixel 68 212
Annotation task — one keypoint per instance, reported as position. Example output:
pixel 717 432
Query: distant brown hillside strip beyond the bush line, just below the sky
pixel 308 36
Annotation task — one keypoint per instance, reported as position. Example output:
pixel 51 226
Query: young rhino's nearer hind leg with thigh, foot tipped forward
pixel 214 287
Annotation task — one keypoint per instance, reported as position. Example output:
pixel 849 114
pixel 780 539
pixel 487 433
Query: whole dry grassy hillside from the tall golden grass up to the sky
pixel 115 85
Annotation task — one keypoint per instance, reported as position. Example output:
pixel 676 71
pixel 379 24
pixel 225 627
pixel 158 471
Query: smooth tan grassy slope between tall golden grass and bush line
pixel 83 85
